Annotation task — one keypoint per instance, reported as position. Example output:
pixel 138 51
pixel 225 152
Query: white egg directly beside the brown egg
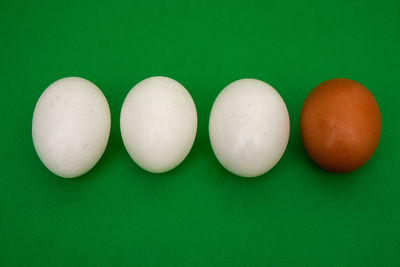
pixel 249 127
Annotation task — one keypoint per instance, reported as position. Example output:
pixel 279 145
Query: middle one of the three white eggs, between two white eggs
pixel 158 123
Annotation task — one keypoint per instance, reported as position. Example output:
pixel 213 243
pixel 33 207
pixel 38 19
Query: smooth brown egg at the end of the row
pixel 340 125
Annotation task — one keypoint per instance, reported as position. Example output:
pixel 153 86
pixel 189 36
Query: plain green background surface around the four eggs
pixel 198 214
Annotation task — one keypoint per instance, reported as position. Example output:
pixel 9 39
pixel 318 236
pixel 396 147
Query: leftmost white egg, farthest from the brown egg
pixel 71 126
